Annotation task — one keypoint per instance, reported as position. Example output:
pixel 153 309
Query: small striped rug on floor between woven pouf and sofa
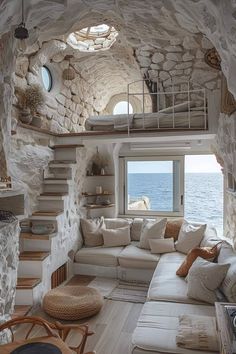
pixel 130 292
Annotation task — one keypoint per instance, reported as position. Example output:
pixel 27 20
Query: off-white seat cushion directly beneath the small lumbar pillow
pixel 135 257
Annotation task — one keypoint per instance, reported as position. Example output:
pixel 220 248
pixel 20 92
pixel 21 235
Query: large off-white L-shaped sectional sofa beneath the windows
pixel 168 296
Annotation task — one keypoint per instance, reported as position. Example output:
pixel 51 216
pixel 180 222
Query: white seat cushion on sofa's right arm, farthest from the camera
pixel 166 285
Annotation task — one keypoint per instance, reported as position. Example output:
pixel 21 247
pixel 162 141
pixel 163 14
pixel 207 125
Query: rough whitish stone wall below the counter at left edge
pixel 9 252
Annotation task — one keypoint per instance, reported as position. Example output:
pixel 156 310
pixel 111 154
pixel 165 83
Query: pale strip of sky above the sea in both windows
pixel 193 164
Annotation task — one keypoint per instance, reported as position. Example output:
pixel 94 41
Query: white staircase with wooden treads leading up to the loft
pixel 41 255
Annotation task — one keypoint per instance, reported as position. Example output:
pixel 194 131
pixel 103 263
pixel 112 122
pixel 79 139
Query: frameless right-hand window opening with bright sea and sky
pixel 204 190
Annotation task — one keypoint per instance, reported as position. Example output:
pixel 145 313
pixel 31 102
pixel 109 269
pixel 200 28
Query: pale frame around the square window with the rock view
pixel 178 187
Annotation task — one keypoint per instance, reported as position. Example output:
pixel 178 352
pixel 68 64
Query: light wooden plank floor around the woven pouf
pixel 113 326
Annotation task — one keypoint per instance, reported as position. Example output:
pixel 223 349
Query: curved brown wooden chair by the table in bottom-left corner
pixel 56 329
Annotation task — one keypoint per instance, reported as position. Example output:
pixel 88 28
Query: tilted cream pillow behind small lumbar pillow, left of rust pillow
pixel 152 230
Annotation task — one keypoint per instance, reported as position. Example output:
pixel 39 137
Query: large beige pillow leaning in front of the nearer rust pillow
pixel 204 278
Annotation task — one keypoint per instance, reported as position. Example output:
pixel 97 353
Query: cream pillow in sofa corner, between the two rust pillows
pixel 190 236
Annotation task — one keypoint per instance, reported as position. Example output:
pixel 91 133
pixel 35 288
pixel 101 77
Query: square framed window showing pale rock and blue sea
pixel 153 185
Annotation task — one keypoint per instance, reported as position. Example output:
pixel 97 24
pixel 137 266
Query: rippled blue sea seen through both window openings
pixel 203 195
